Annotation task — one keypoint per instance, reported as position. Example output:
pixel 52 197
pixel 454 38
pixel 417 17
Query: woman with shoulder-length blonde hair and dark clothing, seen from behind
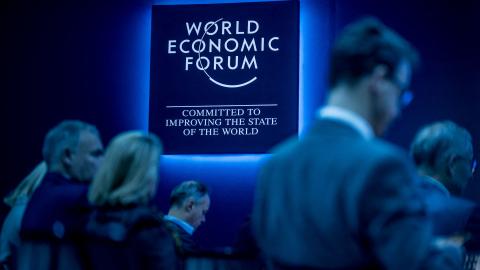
pixel 125 232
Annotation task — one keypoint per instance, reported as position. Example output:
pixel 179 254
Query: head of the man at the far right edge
pixel 443 150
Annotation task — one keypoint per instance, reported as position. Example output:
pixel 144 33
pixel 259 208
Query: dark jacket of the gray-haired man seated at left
pixel 58 208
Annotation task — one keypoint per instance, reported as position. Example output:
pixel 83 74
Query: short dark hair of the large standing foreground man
pixel 362 46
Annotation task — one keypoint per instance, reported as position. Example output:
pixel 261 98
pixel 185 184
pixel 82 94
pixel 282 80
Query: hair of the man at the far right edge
pixel 435 143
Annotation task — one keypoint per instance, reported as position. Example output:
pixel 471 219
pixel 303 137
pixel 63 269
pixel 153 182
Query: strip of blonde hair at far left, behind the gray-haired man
pixel 28 185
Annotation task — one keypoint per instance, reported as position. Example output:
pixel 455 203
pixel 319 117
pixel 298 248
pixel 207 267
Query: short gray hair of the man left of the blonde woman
pixel 64 136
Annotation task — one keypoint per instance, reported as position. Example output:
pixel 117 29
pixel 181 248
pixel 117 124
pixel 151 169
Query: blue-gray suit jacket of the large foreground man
pixel 334 200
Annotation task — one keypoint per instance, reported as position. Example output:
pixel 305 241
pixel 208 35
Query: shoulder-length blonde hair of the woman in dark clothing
pixel 128 174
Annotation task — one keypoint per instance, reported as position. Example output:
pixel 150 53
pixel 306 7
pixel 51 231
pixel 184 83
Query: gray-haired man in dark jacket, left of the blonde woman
pixel 59 207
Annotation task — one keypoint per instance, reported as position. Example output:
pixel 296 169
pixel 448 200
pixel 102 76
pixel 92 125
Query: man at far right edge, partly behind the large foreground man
pixel 443 154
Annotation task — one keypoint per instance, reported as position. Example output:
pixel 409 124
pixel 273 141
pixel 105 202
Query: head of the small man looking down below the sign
pixel 189 201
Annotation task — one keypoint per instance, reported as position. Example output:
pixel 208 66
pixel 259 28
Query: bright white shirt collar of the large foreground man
pixel 348 117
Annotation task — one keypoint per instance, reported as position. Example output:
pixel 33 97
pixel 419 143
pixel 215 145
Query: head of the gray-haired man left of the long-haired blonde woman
pixel 74 149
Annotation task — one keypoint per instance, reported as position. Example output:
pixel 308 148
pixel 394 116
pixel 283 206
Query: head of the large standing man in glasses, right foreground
pixel 370 71
